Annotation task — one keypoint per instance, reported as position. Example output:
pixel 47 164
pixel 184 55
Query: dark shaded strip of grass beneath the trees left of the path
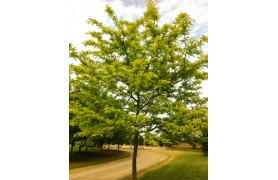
pixel 91 157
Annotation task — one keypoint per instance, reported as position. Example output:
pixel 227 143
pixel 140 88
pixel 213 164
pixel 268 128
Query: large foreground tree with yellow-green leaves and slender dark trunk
pixel 146 67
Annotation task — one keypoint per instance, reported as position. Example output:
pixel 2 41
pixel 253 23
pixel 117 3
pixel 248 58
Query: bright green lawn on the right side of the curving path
pixel 191 165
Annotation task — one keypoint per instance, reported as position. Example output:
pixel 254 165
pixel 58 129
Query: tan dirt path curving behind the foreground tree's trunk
pixel 120 169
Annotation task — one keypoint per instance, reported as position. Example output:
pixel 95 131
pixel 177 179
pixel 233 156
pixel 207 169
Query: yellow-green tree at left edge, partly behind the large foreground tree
pixel 91 108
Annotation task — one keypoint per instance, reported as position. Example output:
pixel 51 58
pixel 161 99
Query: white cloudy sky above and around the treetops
pixel 81 10
